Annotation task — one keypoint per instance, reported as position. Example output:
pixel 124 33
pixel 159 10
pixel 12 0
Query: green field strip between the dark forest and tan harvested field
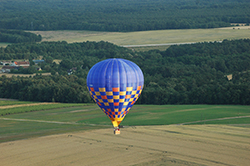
pixel 79 117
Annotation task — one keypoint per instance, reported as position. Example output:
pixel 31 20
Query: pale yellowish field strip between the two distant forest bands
pixel 149 37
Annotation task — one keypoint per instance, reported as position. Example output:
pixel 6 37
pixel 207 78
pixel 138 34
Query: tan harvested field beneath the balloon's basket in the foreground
pixel 178 145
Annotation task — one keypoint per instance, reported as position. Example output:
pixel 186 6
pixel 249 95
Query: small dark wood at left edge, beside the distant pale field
pixel 18 36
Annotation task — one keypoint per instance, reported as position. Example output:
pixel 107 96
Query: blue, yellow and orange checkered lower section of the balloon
pixel 116 103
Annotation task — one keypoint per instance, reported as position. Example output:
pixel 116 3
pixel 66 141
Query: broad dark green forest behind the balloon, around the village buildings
pixel 182 74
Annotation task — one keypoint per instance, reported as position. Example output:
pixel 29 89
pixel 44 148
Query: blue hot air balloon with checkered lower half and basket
pixel 115 85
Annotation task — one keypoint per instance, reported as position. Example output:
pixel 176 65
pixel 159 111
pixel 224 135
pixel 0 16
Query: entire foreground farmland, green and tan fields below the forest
pixel 152 135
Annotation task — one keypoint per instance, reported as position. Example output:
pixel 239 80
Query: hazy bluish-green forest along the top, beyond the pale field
pixel 120 15
